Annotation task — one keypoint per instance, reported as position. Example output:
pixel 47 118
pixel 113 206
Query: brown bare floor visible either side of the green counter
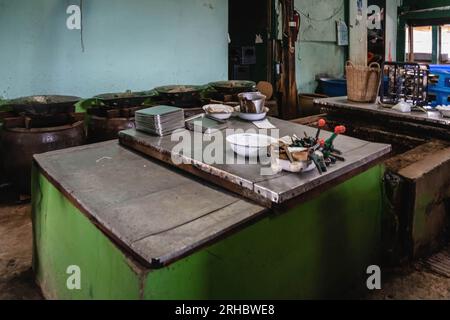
pixel 16 277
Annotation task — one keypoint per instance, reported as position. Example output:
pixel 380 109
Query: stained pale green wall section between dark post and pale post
pixel 317 52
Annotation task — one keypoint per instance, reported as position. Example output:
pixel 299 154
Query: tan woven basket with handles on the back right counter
pixel 363 83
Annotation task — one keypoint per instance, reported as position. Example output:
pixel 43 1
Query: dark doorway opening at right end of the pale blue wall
pixel 249 49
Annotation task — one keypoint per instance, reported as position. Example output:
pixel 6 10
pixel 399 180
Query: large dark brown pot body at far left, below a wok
pixel 19 145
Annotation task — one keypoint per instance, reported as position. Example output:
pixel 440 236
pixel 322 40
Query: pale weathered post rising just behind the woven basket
pixel 358 32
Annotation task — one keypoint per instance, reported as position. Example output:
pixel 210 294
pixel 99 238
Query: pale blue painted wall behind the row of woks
pixel 133 44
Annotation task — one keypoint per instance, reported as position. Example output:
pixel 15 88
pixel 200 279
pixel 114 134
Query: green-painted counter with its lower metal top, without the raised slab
pixel 140 230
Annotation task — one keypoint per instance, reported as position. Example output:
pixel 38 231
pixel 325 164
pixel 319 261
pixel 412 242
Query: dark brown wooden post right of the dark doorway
pixel 288 83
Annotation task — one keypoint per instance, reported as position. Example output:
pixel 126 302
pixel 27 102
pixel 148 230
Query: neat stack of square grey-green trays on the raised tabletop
pixel 159 120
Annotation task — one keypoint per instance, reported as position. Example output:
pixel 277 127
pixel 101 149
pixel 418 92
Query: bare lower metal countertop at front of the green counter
pixel 156 214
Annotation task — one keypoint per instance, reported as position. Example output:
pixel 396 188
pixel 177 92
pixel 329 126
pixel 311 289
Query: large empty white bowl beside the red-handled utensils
pixel 250 145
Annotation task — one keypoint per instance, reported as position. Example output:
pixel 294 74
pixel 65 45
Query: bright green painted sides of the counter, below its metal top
pixel 320 249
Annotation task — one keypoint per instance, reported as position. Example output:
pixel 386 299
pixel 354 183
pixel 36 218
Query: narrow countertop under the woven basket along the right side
pixel 341 103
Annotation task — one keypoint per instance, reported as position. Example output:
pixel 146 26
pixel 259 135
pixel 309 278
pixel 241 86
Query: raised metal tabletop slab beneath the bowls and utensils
pixel 246 179
